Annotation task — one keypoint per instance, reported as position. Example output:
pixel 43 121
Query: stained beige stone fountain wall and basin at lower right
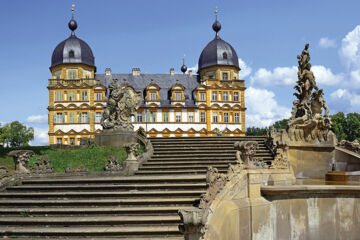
pixel 264 204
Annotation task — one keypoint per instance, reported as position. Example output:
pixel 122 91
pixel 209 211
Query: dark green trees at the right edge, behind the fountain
pixel 346 127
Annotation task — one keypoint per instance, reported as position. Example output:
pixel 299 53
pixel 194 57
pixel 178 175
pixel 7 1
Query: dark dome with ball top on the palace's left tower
pixel 72 50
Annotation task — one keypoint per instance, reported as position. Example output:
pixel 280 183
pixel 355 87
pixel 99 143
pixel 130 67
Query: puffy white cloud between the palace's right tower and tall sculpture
pixel 263 110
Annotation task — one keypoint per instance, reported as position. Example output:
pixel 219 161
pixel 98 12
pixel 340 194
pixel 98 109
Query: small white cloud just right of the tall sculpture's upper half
pixel 325 76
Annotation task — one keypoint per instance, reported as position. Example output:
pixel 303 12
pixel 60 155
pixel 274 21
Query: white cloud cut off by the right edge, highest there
pixel 350 49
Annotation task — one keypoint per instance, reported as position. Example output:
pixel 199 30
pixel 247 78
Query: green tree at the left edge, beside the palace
pixel 15 134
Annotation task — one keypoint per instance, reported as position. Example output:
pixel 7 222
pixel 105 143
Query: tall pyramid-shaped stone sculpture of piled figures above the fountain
pixel 307 121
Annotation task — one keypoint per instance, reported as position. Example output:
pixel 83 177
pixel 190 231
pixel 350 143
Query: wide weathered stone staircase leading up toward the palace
pixel 143 206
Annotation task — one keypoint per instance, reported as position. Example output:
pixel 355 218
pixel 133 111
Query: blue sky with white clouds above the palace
pixel 154 35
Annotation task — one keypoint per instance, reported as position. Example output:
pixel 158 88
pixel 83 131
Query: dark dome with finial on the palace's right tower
pixel 218 52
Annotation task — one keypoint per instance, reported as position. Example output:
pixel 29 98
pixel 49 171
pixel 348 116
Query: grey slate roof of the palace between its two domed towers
pixel 164 81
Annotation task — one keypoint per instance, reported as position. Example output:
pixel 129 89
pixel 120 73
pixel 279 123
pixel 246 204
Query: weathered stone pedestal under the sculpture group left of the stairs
pixel 115 138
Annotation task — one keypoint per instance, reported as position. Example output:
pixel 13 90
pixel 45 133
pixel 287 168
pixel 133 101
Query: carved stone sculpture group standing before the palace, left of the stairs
pixel 123 102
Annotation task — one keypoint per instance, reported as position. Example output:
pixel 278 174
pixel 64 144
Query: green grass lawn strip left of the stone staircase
pixel 94 159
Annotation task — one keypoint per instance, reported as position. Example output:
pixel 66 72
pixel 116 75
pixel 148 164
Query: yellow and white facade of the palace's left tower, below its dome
pixel 76 101
